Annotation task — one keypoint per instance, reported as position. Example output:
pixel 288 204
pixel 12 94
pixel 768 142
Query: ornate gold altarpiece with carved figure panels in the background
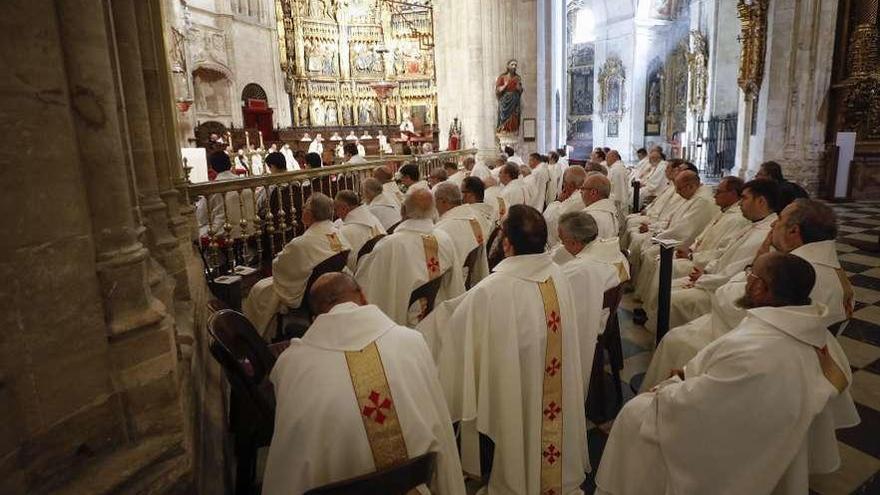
pixel 335 52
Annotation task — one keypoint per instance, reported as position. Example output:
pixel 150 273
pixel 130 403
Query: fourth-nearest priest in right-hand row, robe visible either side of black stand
pixel 707 247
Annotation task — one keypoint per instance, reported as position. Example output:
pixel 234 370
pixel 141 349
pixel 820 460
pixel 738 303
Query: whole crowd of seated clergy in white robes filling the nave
pixel 469 308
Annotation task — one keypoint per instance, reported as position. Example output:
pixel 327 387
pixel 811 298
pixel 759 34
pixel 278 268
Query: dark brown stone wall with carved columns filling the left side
pixel 89 368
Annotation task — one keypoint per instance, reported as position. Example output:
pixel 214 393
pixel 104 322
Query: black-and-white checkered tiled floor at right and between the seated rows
pixel 860 445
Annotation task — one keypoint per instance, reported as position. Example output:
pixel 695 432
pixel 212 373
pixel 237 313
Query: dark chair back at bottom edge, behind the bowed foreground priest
pixel 397 480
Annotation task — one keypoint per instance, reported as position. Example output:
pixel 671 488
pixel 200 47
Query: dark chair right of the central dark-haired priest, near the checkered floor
pixel 609 341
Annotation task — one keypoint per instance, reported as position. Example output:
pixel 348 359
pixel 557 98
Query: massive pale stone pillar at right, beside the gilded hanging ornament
pixel 797 75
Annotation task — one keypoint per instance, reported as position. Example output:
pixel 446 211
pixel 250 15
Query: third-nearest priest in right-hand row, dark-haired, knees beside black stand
pixel 691 295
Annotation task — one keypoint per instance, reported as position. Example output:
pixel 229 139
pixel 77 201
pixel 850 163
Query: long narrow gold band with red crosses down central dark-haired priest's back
pixel 551 401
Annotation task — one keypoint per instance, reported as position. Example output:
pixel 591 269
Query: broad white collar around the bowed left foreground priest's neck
pixel 348 327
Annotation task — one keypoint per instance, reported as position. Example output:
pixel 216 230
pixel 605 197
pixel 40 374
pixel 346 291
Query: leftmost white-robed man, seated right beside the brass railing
pixel 293 266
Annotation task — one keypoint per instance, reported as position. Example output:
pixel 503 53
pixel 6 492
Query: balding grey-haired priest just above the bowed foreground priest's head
pixel 413 255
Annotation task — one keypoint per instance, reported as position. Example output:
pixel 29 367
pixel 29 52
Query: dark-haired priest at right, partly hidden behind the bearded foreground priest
pixel 806 229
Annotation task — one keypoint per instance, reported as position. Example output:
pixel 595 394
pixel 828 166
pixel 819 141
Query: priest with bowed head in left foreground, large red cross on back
pixel 372 395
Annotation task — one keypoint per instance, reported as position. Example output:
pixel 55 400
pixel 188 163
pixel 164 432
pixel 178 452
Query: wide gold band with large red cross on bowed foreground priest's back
pixel 377 407
